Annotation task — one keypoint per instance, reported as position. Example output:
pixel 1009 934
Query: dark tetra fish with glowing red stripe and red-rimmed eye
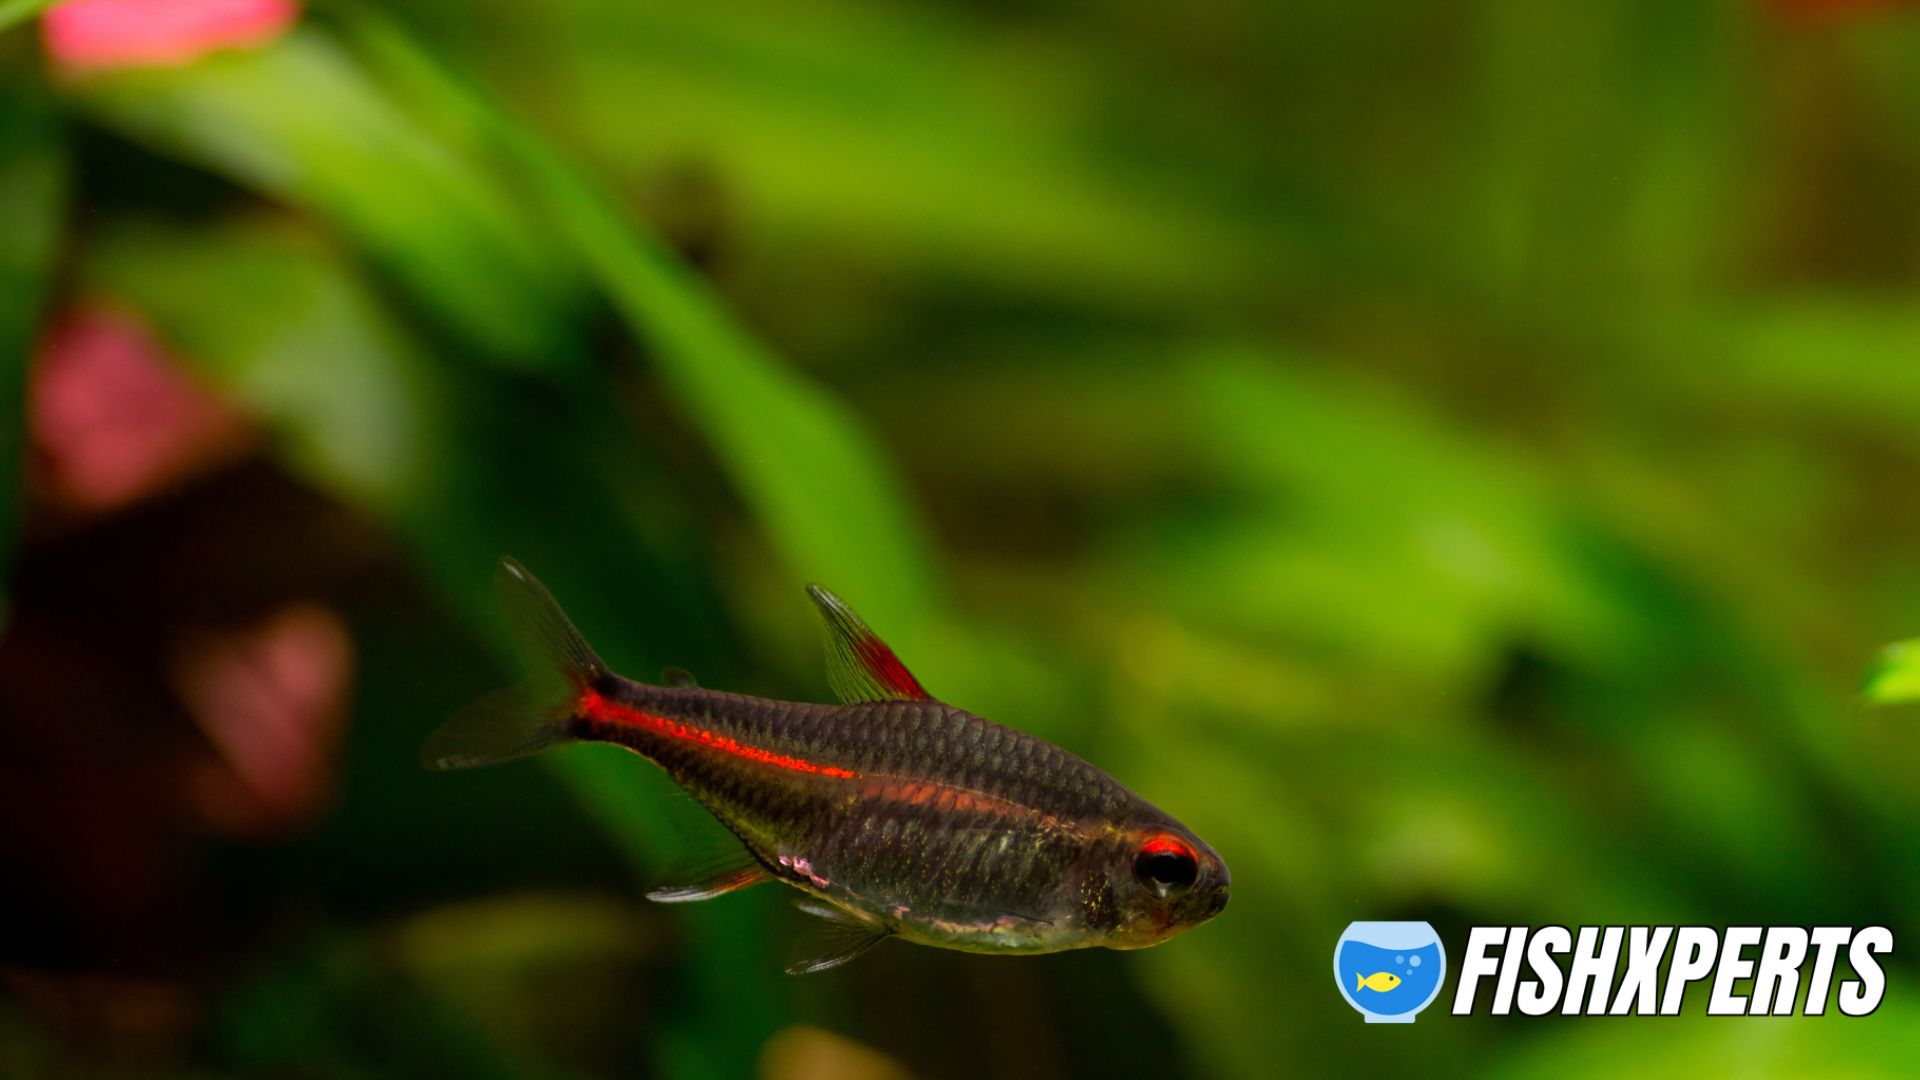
pixel 898 814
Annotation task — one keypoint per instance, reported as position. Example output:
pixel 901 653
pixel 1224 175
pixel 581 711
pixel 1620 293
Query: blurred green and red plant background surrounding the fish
pixel 1458 458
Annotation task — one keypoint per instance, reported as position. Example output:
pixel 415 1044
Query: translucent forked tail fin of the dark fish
pixel 533 716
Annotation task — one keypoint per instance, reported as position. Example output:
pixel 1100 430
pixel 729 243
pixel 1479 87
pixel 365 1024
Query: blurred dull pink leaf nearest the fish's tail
pixel 274 700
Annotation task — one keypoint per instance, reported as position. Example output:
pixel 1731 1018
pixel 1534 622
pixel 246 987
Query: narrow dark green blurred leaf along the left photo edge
pixel 34 193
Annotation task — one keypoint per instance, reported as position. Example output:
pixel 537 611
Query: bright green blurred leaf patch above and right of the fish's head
pixel 1353 520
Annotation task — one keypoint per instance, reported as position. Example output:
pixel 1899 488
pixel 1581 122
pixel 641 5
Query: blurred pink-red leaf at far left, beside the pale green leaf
pixel 114 420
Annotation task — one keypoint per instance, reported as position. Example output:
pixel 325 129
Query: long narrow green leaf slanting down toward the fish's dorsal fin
pixel 821 485
